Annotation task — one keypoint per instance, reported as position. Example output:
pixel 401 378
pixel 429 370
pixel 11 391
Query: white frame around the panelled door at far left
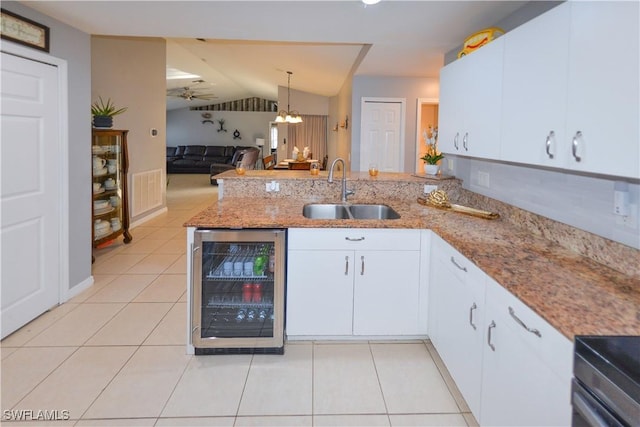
pixel 63 155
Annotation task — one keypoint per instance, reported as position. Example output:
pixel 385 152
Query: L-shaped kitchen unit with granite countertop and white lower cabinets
pixel 500 303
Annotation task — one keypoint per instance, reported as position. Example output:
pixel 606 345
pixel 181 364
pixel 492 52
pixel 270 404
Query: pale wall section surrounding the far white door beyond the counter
pixel 390 87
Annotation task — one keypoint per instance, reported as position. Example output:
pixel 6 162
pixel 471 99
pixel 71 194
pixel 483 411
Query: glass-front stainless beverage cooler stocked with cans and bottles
pixel 237 291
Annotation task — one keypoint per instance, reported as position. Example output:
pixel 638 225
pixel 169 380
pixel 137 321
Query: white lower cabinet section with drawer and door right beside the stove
pixel 527 366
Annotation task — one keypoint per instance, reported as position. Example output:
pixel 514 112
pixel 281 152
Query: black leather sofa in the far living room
pixel 198 158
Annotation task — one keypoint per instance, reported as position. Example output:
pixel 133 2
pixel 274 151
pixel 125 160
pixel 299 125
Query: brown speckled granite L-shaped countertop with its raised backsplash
pixel 575 294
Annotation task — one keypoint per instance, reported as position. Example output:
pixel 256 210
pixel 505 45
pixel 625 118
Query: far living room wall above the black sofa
pixel 185 127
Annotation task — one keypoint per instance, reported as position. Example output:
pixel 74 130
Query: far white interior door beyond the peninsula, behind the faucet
pixel 382 140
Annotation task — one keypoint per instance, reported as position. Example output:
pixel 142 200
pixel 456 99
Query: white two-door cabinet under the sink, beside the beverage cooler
pixel 343 282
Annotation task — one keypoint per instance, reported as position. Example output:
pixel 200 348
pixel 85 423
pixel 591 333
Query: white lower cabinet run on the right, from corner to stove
pixel 508 374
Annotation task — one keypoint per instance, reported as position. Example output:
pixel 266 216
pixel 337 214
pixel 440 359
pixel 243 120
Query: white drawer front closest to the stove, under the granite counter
pixel 551 346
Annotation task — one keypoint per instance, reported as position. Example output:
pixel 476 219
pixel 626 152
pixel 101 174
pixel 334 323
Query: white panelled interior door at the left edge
pixel 29 191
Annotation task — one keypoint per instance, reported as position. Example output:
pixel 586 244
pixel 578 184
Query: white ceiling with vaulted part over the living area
pixel 249 46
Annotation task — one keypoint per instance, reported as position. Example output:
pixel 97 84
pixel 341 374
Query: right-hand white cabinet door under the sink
pixel 386 293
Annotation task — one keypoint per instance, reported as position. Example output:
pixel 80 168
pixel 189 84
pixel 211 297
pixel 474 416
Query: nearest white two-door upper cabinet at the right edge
pixel 571 87
